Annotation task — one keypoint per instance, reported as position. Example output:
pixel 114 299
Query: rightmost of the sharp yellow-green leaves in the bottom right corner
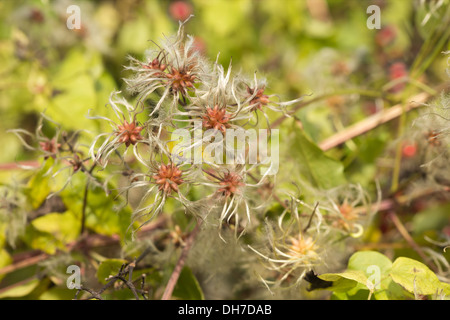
pixel 416 277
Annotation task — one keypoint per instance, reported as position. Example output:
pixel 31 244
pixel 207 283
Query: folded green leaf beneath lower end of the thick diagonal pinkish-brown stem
pixel 312 163
